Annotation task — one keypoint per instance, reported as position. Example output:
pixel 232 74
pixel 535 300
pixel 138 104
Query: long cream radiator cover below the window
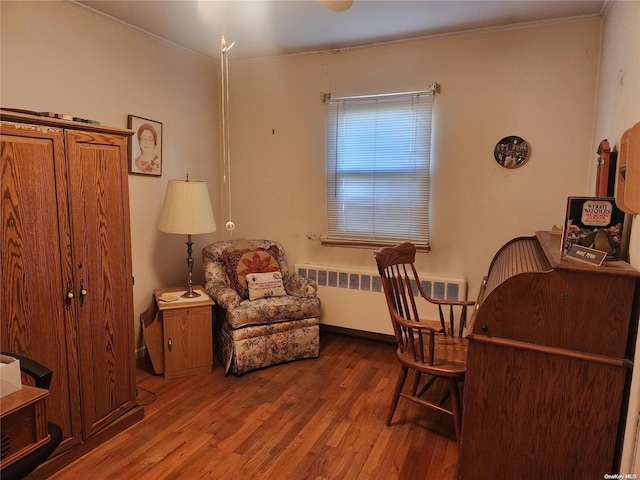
pixel 353 298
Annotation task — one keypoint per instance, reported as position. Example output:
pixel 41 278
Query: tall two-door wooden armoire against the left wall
pixel 66 295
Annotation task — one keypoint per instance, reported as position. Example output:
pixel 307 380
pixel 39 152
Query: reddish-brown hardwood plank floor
pixel 315 419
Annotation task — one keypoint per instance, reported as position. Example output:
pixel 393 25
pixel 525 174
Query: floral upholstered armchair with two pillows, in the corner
pixel 265 315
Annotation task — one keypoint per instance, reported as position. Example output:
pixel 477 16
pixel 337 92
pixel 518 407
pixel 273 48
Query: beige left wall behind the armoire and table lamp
pixel 60 57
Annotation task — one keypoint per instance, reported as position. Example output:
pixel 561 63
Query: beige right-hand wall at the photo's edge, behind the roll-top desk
pixel 618 108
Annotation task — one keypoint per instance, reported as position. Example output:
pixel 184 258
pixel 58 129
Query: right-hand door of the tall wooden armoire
pixel 100 233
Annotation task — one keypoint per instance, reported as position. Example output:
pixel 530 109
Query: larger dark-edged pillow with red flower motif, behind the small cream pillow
pixel 239 263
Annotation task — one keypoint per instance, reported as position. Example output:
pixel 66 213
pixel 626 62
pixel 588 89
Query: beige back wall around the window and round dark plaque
pixel 537 82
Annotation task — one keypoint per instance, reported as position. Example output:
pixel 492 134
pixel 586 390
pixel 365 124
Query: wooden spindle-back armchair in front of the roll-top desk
pixel 430 348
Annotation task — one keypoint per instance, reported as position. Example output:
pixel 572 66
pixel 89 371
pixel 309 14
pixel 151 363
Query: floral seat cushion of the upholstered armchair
pixel 272 310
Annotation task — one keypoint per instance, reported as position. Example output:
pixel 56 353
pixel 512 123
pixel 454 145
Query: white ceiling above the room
pixel 262 28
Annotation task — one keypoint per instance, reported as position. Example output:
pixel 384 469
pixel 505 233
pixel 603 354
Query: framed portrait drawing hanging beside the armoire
pixel 145 147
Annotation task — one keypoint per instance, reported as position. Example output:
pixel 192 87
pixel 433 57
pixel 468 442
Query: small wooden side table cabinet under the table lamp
pixel 180 338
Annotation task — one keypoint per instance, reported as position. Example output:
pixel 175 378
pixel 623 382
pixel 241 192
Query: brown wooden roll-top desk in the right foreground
pixel 549 365
